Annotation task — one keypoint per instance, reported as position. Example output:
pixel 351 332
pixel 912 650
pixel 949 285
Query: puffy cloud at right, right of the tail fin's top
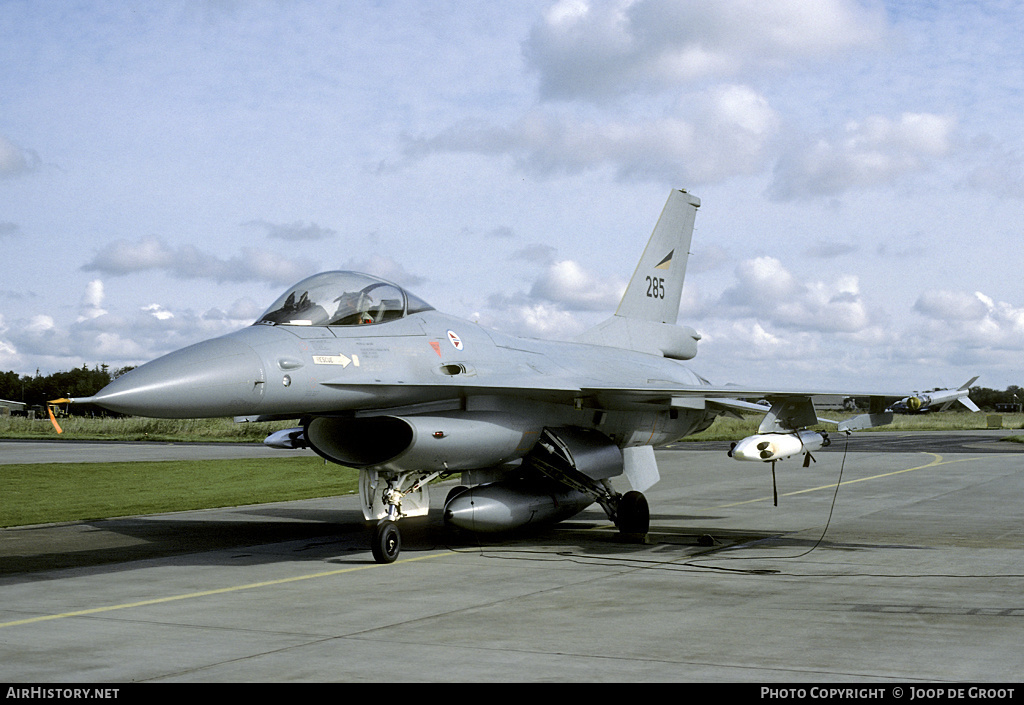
pixel 870 153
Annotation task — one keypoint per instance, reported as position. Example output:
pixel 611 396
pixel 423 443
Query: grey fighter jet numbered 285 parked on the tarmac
pixel 379 381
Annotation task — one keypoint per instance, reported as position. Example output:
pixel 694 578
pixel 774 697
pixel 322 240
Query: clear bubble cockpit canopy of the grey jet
pixel 343 299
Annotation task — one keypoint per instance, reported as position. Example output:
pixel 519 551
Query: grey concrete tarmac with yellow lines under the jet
pixel 901 561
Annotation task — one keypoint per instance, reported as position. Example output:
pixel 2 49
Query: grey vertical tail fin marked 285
pixel 655 292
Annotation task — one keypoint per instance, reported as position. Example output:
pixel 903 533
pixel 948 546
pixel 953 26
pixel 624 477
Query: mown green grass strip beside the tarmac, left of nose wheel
pixel 66 492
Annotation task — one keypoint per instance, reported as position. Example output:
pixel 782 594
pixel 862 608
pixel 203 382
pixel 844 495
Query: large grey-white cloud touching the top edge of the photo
pixel 601 50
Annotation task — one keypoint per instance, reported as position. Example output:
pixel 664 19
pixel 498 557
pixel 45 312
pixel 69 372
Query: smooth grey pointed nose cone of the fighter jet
pixel 220 378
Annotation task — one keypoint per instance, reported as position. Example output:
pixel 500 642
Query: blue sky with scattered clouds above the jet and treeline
pixel 168 169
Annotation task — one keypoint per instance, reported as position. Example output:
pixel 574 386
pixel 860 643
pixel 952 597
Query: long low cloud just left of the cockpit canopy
pixel 123 258
